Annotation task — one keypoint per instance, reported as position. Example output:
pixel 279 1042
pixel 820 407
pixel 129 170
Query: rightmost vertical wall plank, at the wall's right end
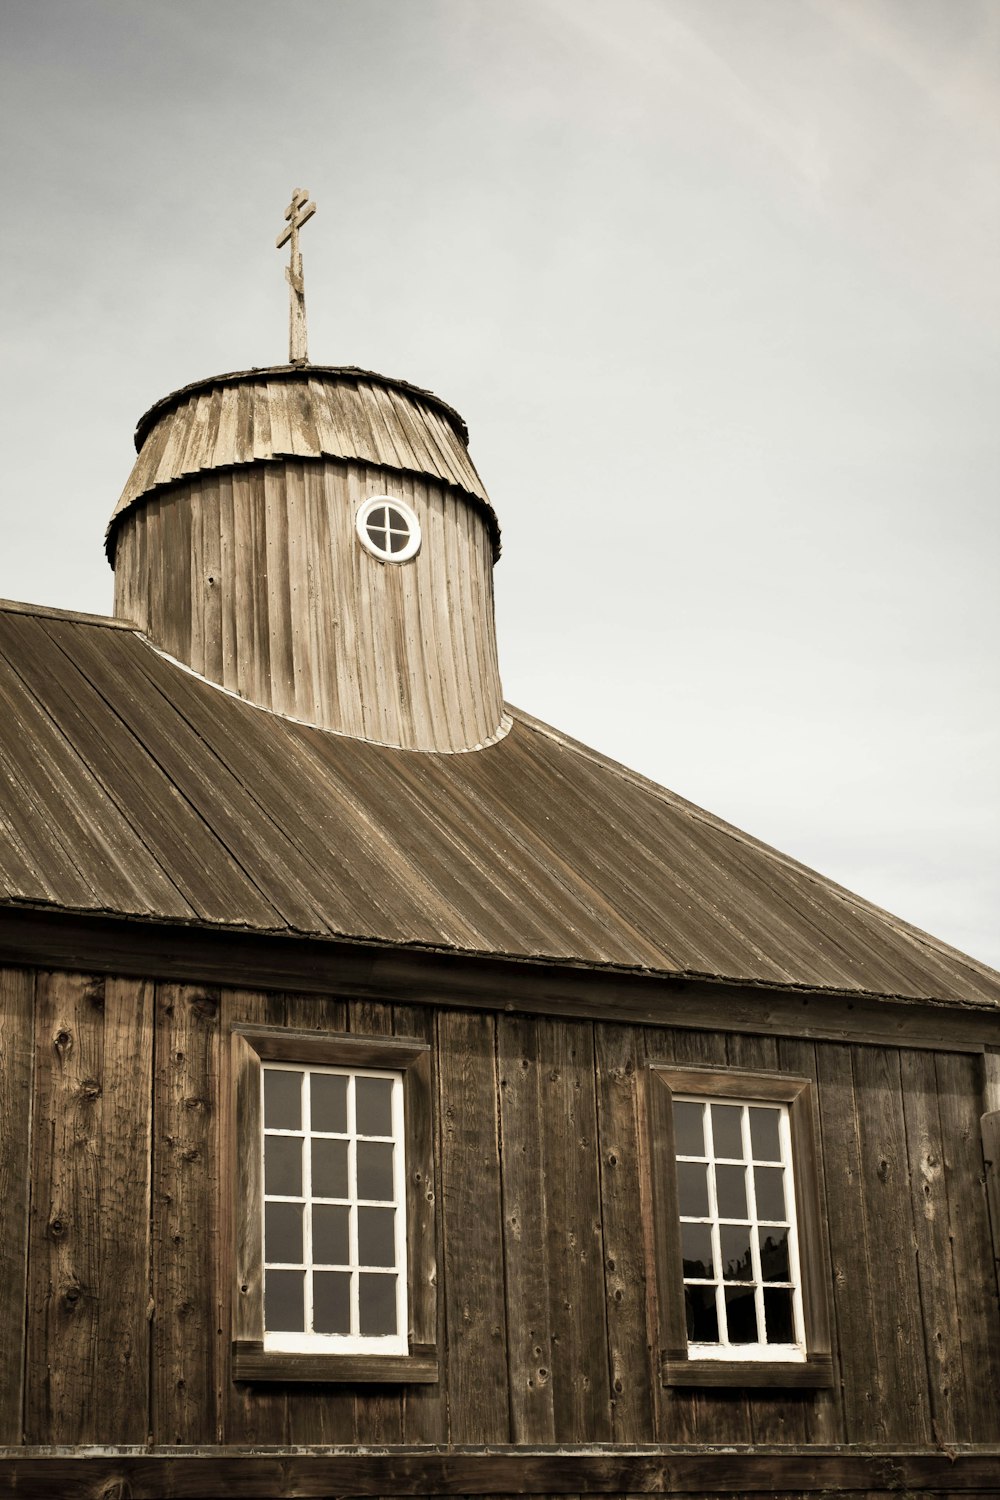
pixel 960 1106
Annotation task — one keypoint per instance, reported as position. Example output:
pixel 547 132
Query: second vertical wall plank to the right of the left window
pixel 527 1270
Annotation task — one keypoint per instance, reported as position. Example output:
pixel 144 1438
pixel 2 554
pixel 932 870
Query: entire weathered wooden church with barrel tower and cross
pixel 401 1099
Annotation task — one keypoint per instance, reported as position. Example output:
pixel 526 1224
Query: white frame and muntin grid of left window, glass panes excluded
pixel 355 1343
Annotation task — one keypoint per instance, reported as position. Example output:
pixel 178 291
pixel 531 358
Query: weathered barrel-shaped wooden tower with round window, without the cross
pixel 319 542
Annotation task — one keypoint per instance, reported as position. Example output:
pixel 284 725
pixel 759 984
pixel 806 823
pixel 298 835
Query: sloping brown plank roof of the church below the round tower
pixel 134 788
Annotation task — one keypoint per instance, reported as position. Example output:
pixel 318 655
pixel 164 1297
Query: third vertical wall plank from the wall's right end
pixel 896 1330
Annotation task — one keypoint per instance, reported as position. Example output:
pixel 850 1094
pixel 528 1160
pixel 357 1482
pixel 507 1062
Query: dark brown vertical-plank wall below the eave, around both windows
pixel 110 1175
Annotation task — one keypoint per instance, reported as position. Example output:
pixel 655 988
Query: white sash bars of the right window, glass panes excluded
pixel 726 1349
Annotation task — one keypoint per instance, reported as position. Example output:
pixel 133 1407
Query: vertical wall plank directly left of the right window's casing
pixel 630 1352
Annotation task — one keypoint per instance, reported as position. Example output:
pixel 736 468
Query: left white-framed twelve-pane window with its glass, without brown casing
pixel 335 1217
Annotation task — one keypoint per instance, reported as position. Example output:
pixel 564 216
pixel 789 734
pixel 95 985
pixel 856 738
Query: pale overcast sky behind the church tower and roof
pixel 716 286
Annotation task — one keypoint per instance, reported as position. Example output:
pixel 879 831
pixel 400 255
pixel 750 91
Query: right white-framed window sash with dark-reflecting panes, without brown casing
pixel 743 1289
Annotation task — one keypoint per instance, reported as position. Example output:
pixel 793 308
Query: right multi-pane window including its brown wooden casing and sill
pixel 740 1244
